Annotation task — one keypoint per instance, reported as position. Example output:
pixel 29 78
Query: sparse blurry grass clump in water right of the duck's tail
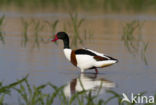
pixel 133 39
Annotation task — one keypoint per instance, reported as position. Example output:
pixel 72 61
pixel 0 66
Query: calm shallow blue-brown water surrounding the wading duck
pixel 48 64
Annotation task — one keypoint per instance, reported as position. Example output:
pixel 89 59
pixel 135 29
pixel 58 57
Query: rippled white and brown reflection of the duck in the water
pixel 87 82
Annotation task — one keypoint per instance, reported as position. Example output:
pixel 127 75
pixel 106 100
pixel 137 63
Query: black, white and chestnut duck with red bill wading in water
pixel 84 58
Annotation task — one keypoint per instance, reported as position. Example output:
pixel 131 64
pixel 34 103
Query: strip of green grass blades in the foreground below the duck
pixel 36 95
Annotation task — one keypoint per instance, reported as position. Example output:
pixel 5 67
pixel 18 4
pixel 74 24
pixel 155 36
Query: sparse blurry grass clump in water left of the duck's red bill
pixel 35 35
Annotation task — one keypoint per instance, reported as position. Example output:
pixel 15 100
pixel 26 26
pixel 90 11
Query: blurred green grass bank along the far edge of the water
pixel 87 5
